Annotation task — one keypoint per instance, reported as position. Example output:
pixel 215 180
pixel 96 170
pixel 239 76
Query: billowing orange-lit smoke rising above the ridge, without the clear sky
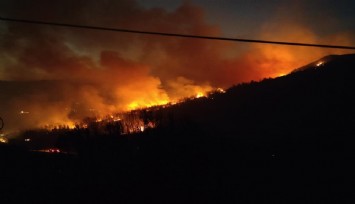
pixel 61 75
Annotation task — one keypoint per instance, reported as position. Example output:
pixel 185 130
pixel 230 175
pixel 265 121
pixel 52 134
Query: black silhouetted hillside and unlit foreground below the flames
pixel 283 140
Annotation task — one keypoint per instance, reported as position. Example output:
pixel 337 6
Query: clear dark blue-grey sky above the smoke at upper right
pixel 245 18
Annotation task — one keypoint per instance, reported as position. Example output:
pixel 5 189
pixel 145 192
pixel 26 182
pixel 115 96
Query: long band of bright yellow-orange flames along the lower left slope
pixel 130 118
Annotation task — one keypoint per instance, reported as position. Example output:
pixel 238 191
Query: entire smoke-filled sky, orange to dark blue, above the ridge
pixel 111 71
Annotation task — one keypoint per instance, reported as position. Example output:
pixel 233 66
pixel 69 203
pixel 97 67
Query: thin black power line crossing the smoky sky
pixel 175 34
